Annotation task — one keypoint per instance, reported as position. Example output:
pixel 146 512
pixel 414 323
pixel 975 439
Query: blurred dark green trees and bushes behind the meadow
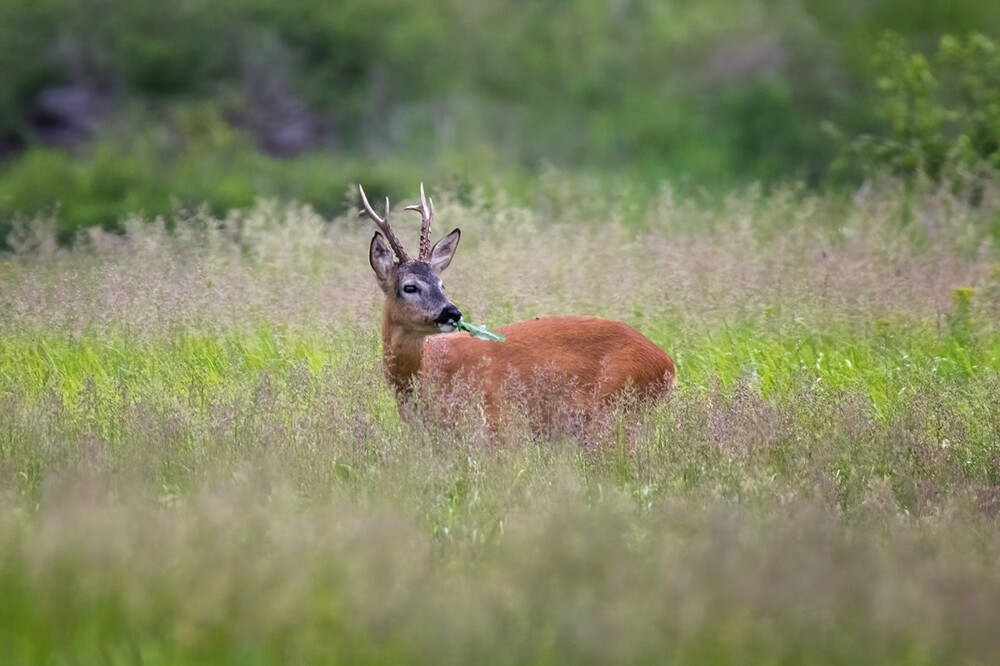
pixel 117 107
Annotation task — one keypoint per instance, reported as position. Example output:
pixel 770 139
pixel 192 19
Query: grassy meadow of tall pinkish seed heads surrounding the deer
pixel 200 461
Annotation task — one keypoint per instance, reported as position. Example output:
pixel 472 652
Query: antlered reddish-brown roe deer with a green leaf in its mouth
pixel 592 361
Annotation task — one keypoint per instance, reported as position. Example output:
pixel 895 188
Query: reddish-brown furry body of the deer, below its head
pixel 571 365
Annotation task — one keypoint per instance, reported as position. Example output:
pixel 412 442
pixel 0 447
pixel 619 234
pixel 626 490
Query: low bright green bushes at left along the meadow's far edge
pixel 200 162
